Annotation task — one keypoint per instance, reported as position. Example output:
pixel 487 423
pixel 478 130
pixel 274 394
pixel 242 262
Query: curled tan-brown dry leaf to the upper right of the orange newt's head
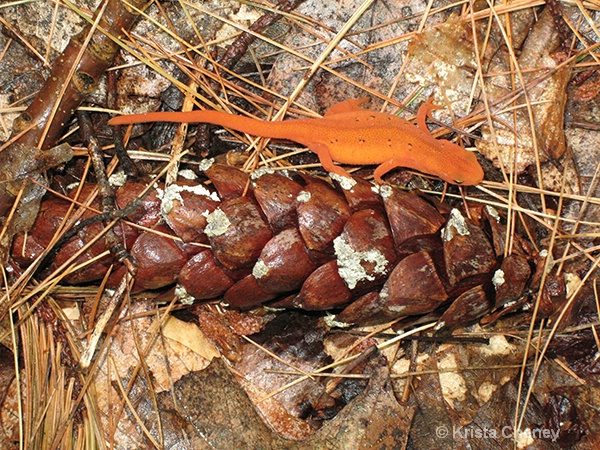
pixel 511 143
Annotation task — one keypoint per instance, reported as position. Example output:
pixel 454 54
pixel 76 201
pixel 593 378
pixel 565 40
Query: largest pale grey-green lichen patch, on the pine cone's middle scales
pixel 350 262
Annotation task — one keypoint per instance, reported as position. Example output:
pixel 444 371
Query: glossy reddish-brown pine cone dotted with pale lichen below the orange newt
pixel 294 240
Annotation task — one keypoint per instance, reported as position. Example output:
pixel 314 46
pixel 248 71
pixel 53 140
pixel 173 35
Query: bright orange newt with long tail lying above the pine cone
pixel 349 134
